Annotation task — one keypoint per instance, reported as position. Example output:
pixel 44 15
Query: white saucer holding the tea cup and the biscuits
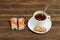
pixel 31 26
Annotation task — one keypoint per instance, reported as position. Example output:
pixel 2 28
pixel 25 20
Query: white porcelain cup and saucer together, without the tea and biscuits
pixel 45 23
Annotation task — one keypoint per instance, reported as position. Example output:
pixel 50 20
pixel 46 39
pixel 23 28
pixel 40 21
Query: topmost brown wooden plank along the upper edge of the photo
pixel 29 2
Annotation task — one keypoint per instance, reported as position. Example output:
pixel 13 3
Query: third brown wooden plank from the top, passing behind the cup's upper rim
pixel 26 11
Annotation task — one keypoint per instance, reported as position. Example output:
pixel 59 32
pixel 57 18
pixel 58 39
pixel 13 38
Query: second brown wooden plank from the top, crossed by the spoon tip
pixel 20 6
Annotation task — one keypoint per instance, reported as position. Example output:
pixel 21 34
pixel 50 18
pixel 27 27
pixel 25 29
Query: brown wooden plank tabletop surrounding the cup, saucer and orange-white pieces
pixel 26 8
